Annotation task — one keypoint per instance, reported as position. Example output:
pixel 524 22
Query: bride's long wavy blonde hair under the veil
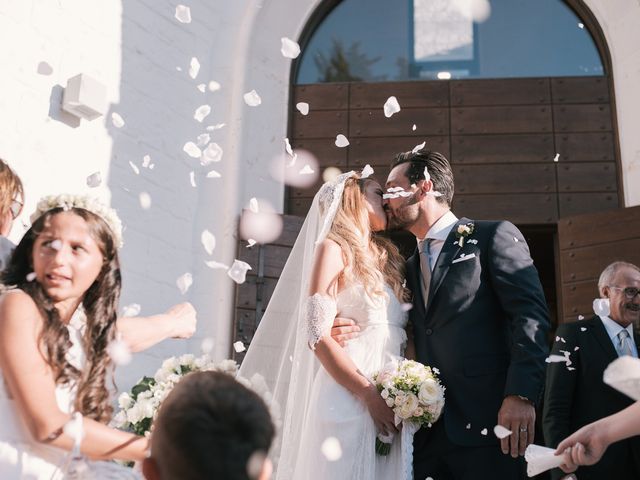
pixel 370 258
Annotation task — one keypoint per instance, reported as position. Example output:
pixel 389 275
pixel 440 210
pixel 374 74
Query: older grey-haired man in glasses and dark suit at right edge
pixel 575 393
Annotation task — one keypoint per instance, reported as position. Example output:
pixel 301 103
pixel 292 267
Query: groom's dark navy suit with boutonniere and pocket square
pixel 484 327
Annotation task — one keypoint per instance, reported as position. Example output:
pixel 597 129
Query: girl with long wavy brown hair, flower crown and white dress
pixel 55 326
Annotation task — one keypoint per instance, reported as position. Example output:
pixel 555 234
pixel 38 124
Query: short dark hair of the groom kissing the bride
pixel 438 167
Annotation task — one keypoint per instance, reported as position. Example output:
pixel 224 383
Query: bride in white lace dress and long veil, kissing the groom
pixel 330 411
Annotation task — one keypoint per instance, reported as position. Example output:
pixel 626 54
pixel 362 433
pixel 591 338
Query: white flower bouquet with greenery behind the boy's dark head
pixel 139 408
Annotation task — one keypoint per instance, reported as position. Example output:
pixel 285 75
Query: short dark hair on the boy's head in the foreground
pixel 209 426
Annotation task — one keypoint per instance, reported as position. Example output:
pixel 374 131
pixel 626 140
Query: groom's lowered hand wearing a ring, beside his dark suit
pixel 518 415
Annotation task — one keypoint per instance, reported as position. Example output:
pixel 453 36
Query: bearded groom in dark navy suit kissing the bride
pixel 479 316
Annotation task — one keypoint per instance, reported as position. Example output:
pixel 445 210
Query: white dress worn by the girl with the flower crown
pixel 21 457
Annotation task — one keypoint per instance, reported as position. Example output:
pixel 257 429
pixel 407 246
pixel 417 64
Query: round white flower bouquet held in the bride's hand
pixel 414 393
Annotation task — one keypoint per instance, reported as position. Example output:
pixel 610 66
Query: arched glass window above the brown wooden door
pixel 383 40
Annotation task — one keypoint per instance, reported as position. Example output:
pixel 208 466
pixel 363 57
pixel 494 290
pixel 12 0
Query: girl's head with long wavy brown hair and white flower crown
pixel 69 256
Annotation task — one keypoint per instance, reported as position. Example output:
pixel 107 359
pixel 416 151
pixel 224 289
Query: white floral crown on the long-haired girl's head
pixel 86 202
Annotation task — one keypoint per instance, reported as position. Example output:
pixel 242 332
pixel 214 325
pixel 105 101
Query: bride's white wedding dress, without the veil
pixel 334 412
